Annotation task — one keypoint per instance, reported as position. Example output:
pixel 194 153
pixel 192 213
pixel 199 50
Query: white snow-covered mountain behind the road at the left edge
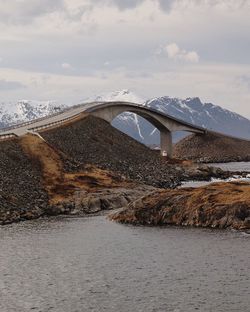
pixel 22 111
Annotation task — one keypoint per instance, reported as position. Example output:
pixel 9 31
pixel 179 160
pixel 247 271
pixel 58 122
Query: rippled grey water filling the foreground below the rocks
pixel 92 264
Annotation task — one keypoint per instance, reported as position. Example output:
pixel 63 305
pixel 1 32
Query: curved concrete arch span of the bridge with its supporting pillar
pixel 164 123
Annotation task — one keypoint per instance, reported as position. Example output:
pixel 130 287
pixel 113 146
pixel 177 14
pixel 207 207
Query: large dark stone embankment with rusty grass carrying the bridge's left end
pixel 81 168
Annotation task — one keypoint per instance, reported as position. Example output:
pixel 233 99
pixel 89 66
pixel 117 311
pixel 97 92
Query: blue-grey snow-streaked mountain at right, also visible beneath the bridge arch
pixel 191 110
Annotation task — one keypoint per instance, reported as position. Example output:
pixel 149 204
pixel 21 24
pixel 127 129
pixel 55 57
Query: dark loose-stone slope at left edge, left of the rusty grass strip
pixel 22 194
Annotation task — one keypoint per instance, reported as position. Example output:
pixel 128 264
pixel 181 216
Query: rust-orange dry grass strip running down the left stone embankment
pixel 62 186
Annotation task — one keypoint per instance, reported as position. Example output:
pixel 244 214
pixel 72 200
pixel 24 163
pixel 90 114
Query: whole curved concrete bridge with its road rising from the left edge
pixel 166 124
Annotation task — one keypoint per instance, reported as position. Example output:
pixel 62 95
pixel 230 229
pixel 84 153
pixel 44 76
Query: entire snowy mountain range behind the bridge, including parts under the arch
pixel 191 110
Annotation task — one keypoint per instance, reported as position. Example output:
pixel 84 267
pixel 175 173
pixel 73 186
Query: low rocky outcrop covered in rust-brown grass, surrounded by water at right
pixel 220 205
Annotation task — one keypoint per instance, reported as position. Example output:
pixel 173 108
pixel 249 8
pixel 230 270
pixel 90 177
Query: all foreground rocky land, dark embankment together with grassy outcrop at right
pixel 87 166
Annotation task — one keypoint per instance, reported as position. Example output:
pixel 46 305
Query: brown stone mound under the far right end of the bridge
pixel 212 148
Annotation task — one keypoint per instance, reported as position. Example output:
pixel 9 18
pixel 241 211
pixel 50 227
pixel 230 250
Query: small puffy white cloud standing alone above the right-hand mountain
pixel 174 52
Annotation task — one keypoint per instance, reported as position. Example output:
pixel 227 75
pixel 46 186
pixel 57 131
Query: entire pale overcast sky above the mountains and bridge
pixel 68 50
